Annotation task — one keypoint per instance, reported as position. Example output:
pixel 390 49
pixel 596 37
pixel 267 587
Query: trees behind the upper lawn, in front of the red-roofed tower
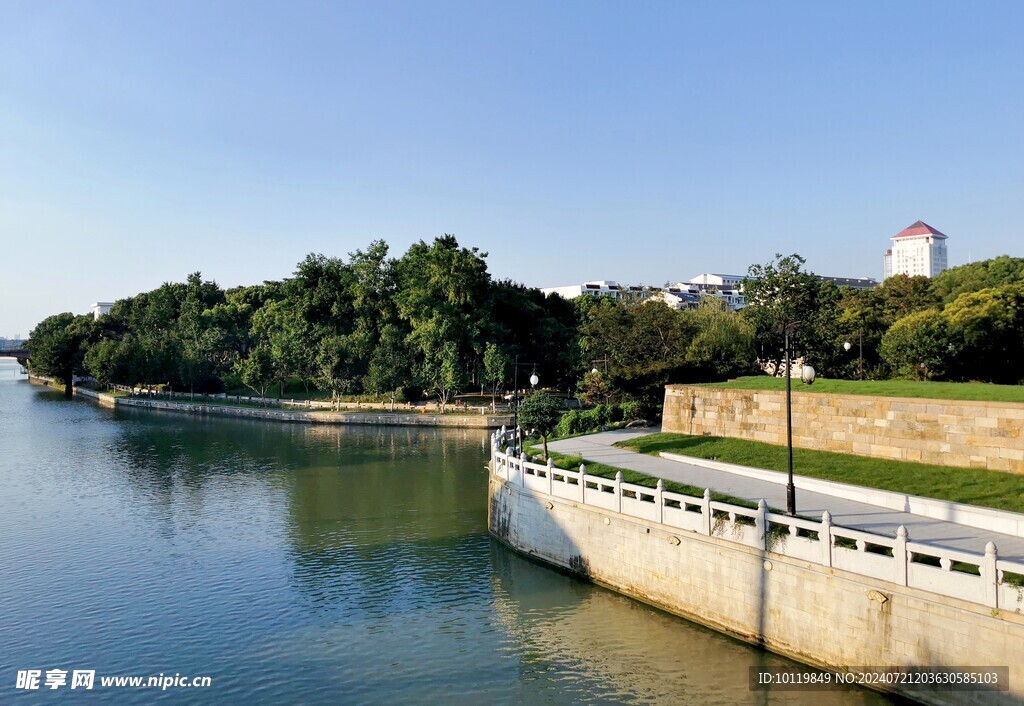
pixel 965 324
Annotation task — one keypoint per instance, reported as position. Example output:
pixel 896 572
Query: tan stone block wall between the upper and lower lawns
pixel 949 433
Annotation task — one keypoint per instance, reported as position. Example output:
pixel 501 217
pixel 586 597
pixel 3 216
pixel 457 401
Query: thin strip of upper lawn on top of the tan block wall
pixel 893 389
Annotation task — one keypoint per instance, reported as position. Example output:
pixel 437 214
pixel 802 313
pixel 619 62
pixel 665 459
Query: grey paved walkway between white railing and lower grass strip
pixel 845 513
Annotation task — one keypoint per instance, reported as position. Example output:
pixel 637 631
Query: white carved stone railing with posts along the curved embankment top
pixel 977 578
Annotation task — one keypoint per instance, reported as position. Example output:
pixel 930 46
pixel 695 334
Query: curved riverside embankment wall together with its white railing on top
pixel 826 596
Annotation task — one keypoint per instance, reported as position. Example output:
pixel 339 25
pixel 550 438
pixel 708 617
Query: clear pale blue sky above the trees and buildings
pixel 642 142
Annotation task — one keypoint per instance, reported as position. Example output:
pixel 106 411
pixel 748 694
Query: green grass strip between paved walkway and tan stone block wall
pixel 972 486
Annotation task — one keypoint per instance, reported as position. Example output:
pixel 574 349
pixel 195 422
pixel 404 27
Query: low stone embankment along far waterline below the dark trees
pixel 471 422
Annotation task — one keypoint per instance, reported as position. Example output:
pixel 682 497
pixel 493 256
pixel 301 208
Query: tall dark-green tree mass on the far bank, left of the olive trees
pixel 369 324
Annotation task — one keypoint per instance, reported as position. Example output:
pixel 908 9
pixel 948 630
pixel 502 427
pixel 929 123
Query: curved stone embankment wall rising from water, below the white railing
pixel 821 616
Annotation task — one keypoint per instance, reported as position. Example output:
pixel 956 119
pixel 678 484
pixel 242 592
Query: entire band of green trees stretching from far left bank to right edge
pixel 434 323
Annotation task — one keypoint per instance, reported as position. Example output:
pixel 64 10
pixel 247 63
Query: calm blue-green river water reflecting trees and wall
pixel 313 565
